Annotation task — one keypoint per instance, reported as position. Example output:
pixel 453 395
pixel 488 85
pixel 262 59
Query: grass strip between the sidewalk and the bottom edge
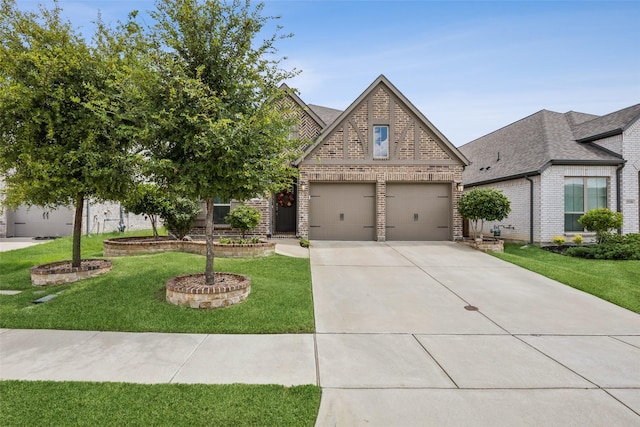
pixel 47 403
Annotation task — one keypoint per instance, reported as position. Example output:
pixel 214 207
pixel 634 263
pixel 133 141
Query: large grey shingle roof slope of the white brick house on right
pixel 528 146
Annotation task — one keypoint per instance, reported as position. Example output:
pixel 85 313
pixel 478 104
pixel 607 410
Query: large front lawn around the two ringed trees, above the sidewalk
pixel 132 296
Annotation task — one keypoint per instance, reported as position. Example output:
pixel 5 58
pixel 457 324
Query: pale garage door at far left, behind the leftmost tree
pixel 41 222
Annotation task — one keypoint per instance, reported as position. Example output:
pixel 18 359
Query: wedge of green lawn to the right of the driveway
pixel 614 281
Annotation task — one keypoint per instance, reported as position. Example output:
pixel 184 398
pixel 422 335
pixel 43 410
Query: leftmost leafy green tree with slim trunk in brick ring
pixel 55 148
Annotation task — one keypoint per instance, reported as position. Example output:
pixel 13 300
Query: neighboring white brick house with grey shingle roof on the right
pixel 554 167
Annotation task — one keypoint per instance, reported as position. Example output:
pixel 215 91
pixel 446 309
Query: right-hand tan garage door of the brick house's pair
pixel 418 211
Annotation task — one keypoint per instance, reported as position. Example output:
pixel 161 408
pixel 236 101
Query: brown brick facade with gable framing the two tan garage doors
pixel 417 154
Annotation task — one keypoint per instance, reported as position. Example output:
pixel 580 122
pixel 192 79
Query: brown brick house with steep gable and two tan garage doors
pixel 380 171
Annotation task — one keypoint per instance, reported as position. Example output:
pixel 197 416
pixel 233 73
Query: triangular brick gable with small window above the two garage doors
pixel 348 139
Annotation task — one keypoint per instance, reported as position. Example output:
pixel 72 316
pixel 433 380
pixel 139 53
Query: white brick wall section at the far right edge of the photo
pixel 630 198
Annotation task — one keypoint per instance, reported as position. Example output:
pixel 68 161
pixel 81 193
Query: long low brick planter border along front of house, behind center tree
pixel 147 245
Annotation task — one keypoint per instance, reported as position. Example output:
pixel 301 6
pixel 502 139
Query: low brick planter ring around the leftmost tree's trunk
pixel 57 273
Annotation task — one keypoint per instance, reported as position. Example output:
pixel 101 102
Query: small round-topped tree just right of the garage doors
pixel 483 204
